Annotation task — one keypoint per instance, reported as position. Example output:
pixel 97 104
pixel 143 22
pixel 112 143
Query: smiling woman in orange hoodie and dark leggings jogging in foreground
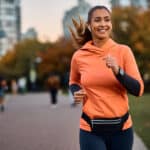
pixel 102 72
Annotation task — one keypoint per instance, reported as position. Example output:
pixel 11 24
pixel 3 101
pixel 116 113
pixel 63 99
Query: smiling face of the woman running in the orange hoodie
pixel 100 24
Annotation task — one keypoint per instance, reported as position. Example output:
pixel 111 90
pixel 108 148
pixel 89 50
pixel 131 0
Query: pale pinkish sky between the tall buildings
pixel 46 16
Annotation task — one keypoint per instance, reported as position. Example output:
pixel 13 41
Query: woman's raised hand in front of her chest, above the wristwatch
pixel 111 62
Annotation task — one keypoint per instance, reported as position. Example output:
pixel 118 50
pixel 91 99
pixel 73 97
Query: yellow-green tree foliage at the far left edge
pixel 17 61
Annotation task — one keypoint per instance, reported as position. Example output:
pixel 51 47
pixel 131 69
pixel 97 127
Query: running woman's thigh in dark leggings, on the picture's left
pixel 89 141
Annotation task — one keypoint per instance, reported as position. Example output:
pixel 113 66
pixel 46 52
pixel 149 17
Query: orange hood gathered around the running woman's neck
pixel 90 47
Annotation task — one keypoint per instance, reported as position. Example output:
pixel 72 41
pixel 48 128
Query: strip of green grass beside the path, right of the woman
pixel 140 111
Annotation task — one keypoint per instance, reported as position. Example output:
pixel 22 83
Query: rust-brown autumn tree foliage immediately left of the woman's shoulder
pixel 56 58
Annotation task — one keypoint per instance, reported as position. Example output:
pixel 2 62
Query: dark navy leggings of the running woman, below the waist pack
pixel 122 140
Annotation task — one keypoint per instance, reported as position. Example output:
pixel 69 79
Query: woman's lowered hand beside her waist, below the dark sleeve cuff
pixel 79 96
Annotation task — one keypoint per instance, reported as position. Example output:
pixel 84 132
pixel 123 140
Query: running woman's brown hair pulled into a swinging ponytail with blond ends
pixel 81 35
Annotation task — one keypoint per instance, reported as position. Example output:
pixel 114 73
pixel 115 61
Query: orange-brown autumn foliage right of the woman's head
pixel 128 28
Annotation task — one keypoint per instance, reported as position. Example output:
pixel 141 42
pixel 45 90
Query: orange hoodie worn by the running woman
pixel 106 97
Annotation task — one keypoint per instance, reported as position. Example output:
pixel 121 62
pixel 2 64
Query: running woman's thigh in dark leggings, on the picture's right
pixel 123 140
